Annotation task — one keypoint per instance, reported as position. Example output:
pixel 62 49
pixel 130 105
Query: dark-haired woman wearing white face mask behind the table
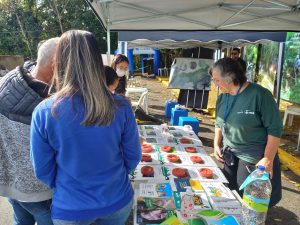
pixel 120 65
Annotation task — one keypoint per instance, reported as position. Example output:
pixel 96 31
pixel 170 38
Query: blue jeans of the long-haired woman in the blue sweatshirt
pixel 117 218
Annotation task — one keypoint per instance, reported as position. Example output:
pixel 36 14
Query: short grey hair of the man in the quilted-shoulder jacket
pixel 46 51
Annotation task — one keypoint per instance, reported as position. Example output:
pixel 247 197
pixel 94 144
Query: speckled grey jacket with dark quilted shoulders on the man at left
pixel 19 95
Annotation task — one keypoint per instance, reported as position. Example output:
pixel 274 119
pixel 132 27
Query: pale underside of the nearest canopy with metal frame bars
pixel 255 15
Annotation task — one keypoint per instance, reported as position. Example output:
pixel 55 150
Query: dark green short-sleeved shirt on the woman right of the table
pixel 254 116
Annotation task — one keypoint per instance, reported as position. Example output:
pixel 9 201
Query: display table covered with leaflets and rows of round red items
pixel 173 158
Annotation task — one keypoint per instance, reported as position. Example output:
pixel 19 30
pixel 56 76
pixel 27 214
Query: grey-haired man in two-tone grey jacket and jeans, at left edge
pixel 20 92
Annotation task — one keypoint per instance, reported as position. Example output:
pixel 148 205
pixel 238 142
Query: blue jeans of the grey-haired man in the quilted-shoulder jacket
pixel 27 213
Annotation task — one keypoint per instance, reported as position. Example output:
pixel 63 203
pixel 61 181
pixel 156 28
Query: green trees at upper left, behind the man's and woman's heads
pixel 43 19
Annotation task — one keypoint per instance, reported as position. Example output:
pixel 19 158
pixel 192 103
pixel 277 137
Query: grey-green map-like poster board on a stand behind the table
pixel 190 74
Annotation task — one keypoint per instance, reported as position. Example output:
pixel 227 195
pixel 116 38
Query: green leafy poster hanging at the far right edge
pixel 290 87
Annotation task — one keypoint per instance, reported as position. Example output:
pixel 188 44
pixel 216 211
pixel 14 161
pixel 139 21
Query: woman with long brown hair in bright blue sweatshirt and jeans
pixel 84 140
